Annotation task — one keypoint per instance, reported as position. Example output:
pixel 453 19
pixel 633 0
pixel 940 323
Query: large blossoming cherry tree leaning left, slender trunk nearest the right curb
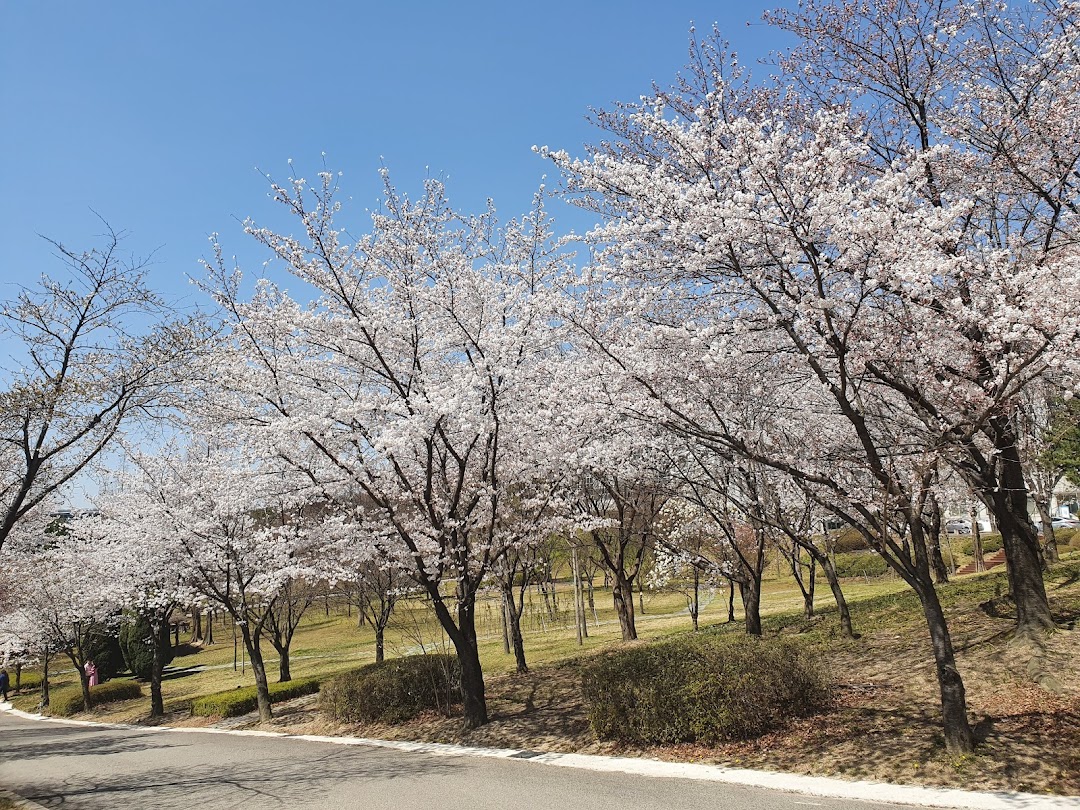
pixel 752 242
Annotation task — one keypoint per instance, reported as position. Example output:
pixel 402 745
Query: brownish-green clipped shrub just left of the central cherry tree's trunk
pixel 394 691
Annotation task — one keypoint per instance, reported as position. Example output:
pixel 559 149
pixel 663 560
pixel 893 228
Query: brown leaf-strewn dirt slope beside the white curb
pixel 885 724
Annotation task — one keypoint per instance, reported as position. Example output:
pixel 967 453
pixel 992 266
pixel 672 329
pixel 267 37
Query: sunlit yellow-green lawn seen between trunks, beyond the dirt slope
pixel 330 644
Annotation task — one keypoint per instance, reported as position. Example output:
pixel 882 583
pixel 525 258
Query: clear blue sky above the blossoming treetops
pixel 156 115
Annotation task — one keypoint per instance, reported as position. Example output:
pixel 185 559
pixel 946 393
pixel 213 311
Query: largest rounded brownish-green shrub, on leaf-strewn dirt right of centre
pixel 701 688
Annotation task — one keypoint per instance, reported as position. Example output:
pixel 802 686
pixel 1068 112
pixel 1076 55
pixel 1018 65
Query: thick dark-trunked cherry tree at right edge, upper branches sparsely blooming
pixel 987 92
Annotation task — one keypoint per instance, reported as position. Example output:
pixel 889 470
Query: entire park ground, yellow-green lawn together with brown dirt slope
pixel 885 724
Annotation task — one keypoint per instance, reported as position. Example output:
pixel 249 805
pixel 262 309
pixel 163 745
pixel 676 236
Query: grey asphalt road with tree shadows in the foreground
pixel 80 767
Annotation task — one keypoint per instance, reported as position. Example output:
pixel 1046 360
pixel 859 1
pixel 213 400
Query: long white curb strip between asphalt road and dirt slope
pixel 819 787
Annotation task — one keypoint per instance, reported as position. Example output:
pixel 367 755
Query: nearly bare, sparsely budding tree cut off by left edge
pixel 92 353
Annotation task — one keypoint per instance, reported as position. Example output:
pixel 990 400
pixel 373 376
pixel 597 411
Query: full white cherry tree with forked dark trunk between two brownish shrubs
pixel 418 381
